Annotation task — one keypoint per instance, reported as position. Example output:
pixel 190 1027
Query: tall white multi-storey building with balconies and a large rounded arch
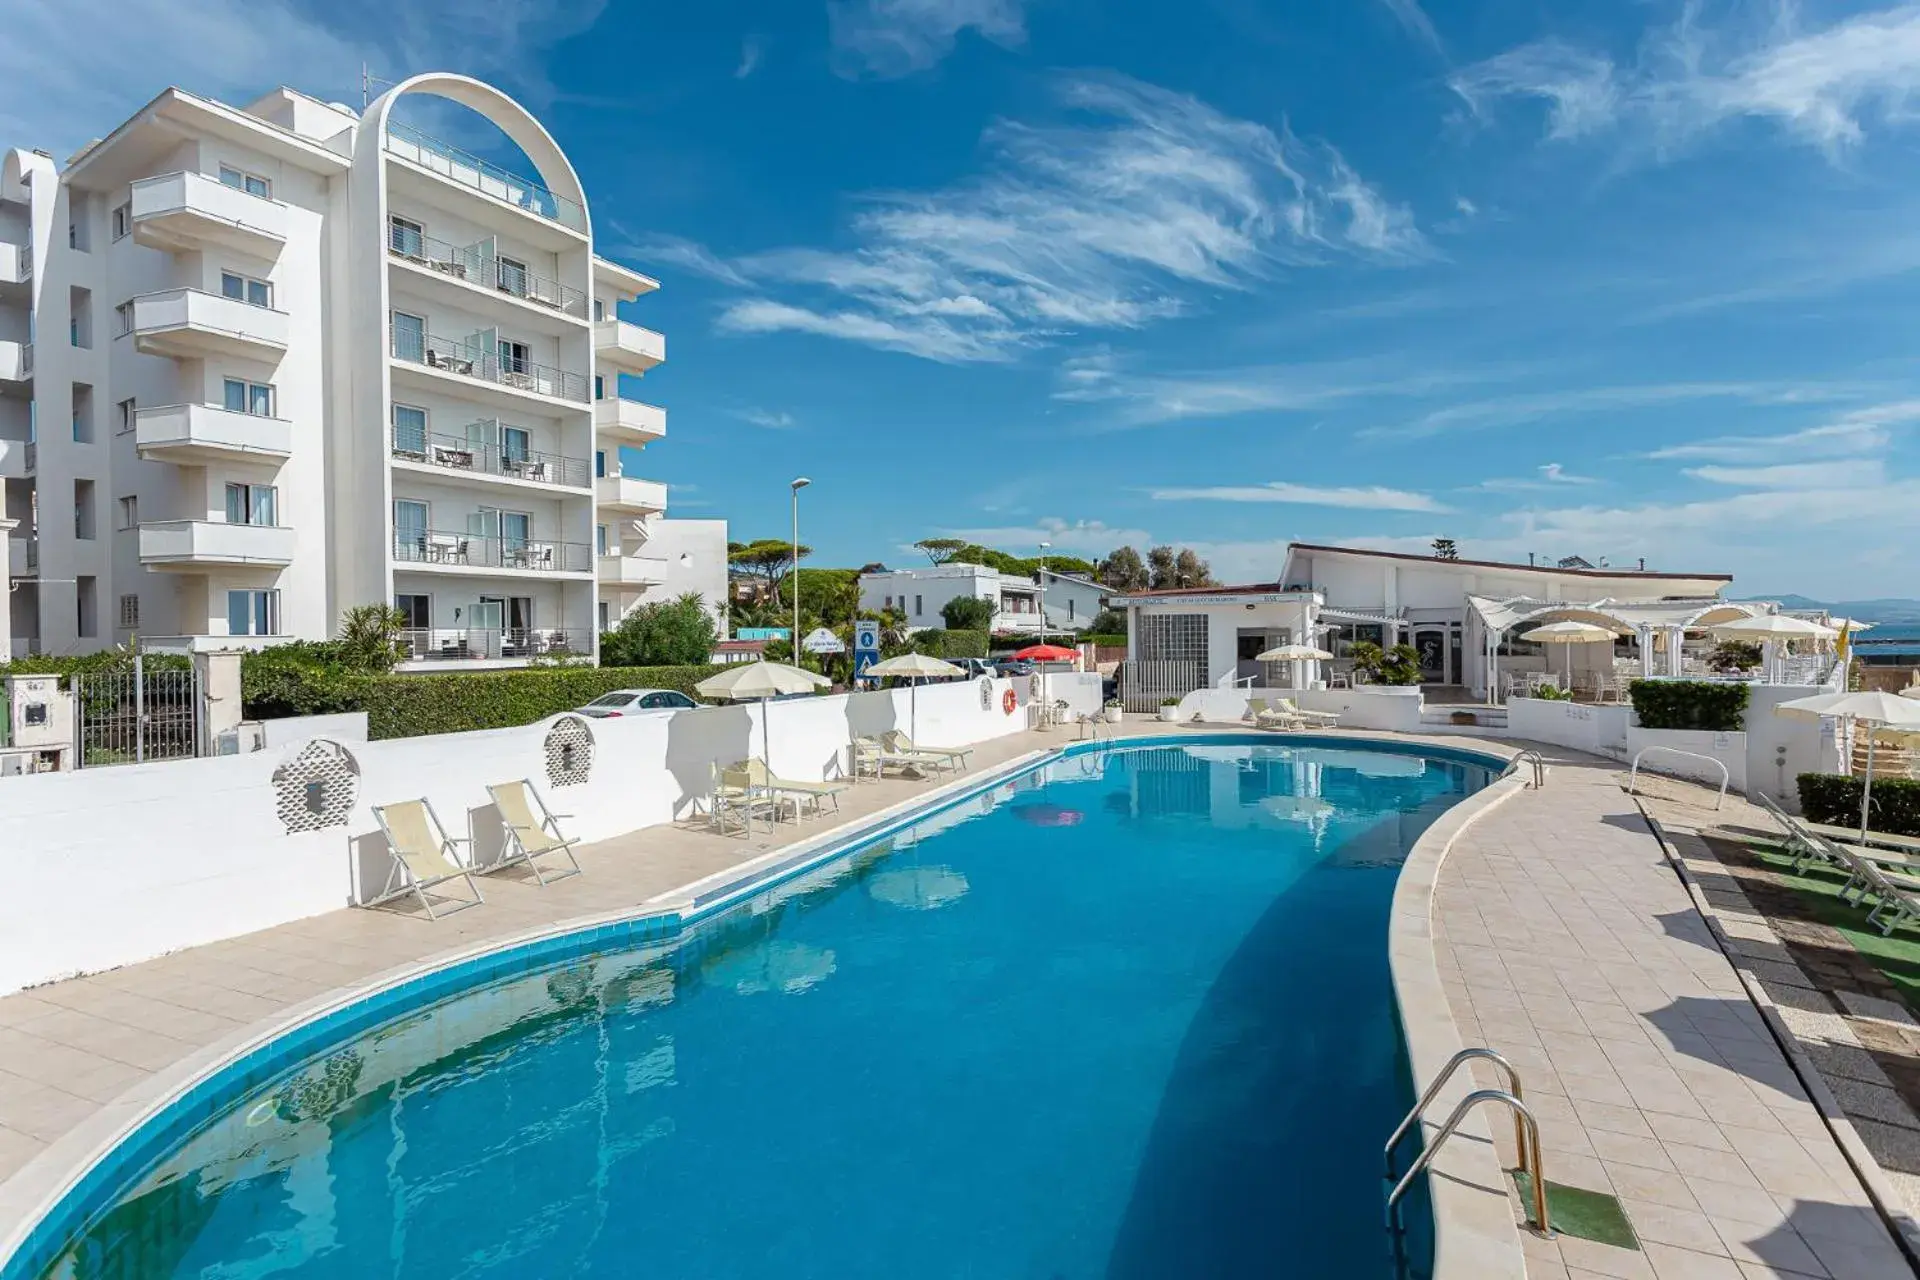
pixel 260 366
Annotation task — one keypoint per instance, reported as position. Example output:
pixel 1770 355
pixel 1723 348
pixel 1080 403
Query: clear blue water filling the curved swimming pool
pixel 1128 1016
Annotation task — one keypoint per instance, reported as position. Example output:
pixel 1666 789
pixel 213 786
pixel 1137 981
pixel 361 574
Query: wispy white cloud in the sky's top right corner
pixel 1821 85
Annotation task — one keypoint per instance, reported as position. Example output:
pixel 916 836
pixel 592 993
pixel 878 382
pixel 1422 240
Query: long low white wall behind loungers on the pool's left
pixel 114 866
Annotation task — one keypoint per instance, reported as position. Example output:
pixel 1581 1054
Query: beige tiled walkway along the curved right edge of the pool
pixel 1570 945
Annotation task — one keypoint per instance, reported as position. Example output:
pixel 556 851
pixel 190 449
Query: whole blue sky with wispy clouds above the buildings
pixel 1579 279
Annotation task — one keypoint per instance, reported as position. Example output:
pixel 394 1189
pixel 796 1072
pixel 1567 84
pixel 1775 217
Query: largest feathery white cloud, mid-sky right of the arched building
pixel 1107 222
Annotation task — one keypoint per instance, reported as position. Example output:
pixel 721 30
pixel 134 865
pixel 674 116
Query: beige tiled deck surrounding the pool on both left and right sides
pixel 1562 934
